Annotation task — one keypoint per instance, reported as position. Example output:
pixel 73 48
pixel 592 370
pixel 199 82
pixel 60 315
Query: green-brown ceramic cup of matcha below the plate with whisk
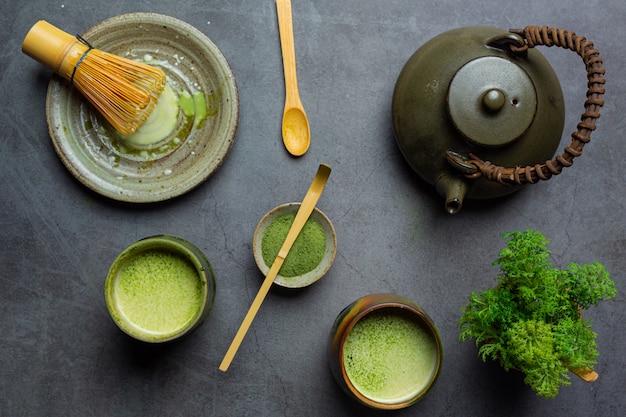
pixel 159 289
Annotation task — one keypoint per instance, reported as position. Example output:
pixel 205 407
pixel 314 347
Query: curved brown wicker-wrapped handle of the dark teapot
pixel 549 36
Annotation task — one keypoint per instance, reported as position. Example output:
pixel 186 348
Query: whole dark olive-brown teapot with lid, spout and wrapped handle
pixel 478 112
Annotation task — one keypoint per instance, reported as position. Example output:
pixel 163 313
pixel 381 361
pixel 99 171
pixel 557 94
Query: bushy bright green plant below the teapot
pixel 532 319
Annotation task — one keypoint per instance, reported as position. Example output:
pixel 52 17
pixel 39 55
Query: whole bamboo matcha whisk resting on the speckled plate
pixel 122 90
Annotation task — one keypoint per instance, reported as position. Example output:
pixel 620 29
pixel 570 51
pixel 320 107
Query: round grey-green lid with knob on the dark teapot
pixel 492 101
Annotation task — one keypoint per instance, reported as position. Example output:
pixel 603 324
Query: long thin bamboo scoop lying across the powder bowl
pixel 305 210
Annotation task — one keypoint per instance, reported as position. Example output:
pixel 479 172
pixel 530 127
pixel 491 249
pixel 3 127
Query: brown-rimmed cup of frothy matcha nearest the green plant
pixel 385 351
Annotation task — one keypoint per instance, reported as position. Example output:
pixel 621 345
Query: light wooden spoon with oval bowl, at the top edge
pixel 296 131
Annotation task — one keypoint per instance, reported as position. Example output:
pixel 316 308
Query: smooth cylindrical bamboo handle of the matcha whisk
pixel 54 48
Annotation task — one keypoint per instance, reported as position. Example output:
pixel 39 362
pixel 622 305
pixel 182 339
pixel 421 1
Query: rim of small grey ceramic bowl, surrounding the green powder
pixel 317 272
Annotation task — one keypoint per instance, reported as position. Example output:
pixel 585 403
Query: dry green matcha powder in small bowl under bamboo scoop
pixel 305 254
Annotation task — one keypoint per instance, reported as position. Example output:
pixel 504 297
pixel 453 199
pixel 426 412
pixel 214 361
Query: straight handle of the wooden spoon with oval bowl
pixel 285 29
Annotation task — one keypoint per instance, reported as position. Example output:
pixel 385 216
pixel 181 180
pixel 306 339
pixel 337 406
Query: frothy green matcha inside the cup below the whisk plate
pixel 158 291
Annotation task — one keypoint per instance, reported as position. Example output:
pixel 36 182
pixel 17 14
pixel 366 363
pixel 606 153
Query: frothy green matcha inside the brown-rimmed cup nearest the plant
pixel 389 357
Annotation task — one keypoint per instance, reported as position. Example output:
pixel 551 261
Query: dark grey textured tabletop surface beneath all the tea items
pixel 61 355
